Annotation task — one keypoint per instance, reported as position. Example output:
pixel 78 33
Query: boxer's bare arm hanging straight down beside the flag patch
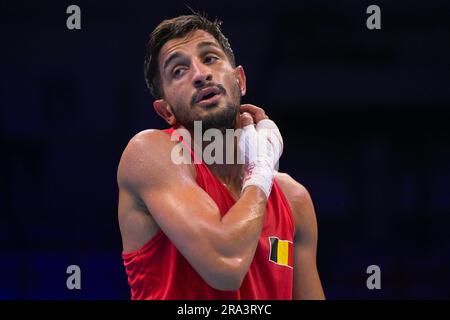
pixel 307 285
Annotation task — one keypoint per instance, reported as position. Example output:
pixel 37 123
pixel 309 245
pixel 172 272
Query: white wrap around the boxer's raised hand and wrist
pixel 261 148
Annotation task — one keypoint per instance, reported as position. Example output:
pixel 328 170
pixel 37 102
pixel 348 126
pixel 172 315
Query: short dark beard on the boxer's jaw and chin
pixel 212 116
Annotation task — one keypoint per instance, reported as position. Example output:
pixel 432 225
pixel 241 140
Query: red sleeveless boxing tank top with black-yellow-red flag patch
pixel 159 271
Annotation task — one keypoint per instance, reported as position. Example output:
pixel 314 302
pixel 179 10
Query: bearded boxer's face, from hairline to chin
pixel 199 82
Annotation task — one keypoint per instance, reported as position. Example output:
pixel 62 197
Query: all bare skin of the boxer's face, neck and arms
pixel 155 193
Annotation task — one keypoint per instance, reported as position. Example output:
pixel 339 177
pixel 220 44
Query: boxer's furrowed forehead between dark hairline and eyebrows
pixel 189 41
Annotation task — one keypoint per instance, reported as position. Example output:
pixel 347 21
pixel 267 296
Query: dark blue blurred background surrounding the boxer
pixel 364 116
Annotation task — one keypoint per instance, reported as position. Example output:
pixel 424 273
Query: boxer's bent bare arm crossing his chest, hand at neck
pixel 220 249
